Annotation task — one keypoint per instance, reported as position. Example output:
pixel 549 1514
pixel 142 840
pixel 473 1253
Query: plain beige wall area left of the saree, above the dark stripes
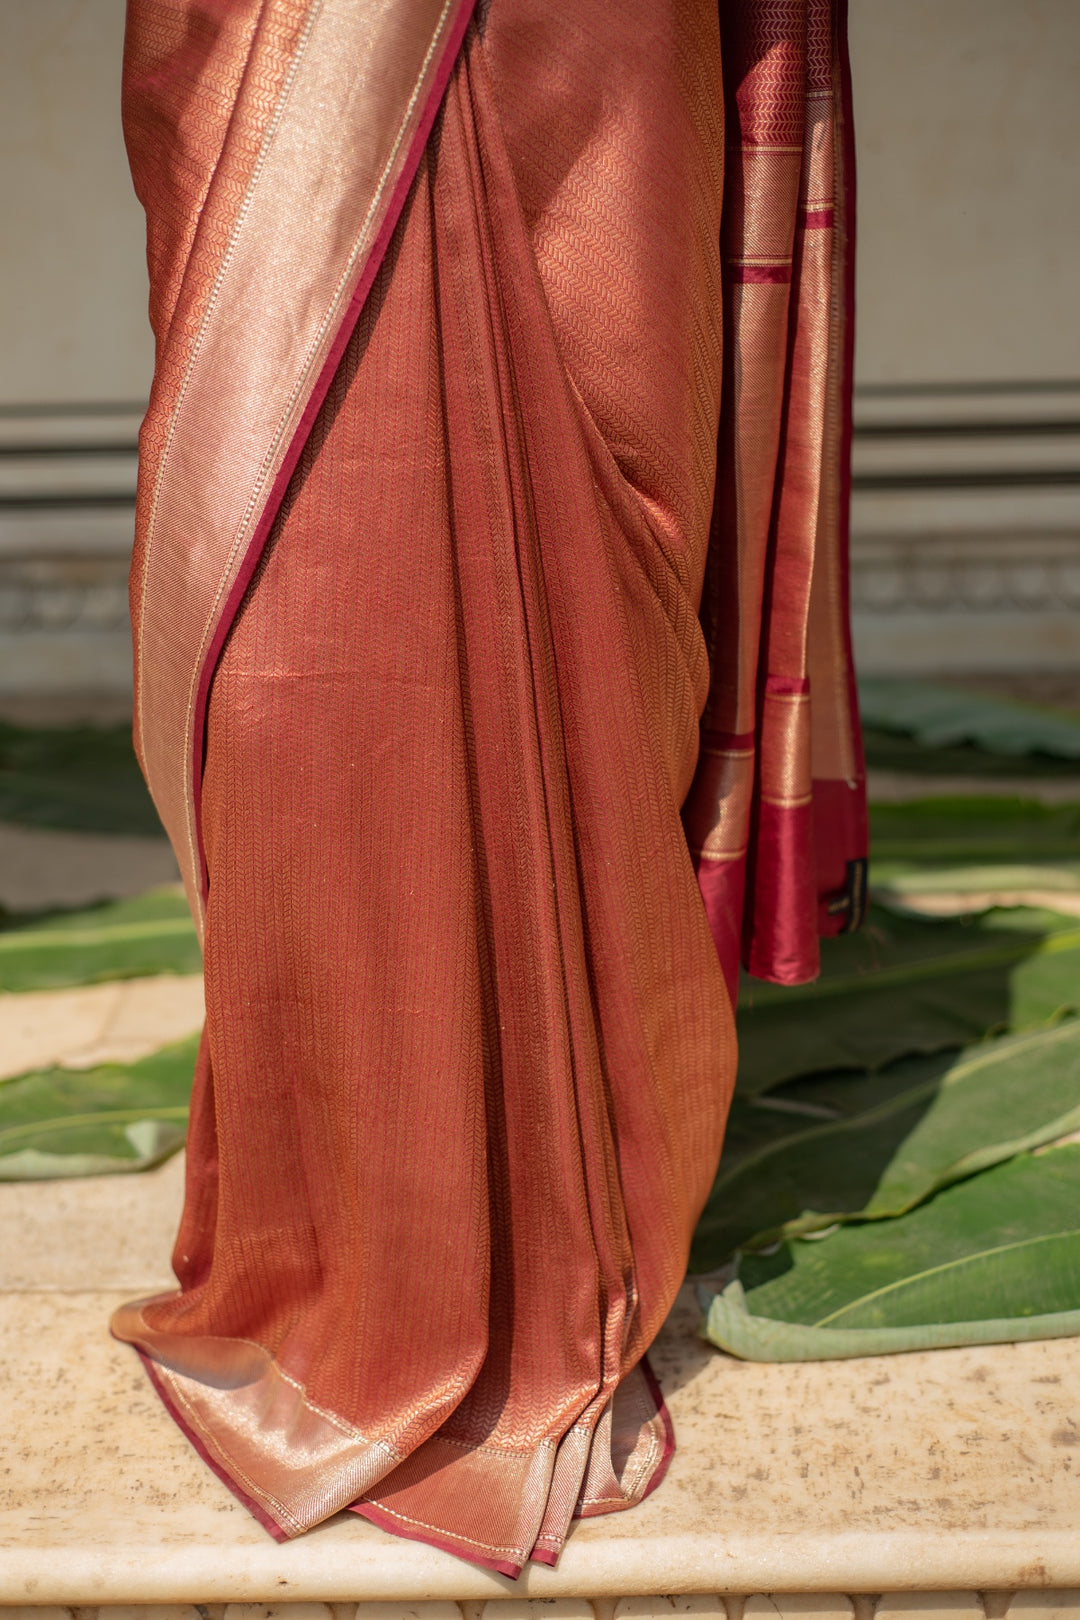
pixel 72 270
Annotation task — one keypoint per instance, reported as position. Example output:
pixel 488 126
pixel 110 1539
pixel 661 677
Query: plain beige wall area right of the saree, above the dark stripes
pixel 967 117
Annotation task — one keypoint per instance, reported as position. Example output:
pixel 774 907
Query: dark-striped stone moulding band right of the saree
pixel 966 529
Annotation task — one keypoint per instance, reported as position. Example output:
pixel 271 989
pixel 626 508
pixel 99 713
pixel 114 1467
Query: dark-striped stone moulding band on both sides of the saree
pixel 966 552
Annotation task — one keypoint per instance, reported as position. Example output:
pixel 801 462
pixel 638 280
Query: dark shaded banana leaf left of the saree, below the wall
pixel 82 778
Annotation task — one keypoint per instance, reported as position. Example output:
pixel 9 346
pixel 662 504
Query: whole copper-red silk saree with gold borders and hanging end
pixel 420 699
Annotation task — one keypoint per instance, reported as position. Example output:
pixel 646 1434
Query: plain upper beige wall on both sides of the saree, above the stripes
pixel 969 130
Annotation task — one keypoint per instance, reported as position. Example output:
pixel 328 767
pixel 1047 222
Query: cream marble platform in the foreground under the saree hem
pixel 946 1473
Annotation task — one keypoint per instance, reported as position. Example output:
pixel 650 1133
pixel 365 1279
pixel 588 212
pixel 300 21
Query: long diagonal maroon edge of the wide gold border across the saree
pixel 312 411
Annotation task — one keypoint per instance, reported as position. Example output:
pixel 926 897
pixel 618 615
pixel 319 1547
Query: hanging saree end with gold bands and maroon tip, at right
pixel 776 814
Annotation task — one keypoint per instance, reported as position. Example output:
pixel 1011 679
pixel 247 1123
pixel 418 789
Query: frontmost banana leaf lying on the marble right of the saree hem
pixel 990 1260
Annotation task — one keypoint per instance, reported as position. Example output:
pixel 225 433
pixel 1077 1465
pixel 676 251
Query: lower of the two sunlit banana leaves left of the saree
pixel 111 1120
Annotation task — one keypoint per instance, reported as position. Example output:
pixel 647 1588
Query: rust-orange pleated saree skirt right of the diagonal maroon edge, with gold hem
pixel 469 1046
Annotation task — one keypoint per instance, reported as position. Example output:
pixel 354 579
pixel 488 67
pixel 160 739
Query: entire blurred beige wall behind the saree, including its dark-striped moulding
pixel 969 150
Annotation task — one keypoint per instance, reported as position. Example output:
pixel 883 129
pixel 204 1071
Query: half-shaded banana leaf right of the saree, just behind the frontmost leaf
pixel 891 1141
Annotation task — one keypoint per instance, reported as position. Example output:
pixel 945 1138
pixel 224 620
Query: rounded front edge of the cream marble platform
pixel 334 1569
